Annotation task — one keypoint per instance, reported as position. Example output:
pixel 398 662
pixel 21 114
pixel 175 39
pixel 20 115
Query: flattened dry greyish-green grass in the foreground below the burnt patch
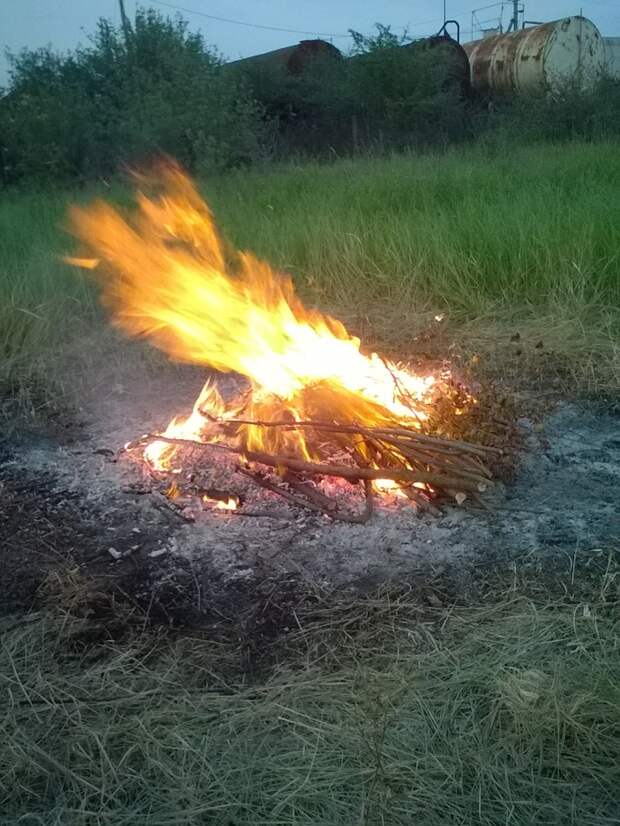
pixel 374 710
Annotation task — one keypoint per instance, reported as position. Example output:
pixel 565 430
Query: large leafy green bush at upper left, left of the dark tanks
pixel 80 115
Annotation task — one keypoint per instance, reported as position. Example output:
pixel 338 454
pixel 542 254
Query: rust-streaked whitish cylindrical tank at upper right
pixel 539 58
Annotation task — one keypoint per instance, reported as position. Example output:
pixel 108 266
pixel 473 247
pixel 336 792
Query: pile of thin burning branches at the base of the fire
pixel 426 468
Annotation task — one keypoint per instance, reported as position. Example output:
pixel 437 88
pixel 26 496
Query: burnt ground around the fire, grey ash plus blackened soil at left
pixel 74 514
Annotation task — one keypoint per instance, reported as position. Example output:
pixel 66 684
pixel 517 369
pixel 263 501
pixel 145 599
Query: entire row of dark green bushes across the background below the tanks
pixel 158 88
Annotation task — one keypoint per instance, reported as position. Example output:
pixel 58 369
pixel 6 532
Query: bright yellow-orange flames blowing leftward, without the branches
pixel 166 274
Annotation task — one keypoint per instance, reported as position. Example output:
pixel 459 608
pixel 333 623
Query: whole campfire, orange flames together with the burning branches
pixel 317 421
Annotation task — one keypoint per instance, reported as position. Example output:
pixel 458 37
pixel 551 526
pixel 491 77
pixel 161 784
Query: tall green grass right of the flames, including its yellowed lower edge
pixel 525 241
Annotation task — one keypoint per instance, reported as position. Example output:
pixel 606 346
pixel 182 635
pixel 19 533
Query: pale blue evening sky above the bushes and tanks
pixel 64 24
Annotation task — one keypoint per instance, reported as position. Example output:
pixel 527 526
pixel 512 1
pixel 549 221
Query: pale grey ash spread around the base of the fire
pixel 564 496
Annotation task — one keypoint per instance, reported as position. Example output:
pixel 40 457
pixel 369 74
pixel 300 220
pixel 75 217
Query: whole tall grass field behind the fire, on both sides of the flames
pixel 526 242
